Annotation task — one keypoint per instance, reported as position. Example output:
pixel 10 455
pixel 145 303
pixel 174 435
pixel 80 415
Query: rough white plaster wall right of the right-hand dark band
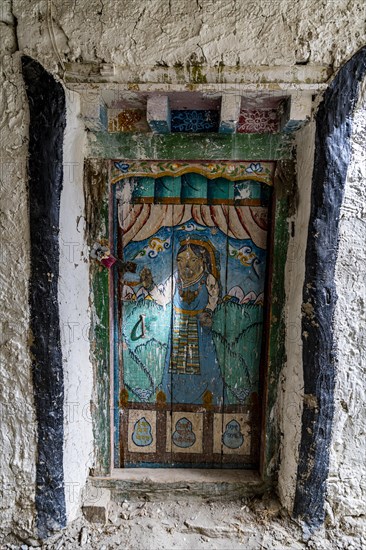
pixel 347 474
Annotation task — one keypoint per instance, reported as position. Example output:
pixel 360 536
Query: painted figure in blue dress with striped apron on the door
pixel 191 364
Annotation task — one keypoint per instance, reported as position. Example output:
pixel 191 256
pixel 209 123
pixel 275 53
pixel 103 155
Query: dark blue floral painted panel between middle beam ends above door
pixel 195 121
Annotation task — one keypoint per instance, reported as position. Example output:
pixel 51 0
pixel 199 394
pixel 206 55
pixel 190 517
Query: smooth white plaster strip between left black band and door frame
pixel 75 312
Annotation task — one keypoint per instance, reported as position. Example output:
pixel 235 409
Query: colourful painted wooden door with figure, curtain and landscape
pixel 189 316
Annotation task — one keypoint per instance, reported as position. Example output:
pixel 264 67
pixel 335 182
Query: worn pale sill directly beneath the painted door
pixel 178 483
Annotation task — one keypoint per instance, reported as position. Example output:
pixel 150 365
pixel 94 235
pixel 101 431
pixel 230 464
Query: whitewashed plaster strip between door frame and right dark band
pixel 291 390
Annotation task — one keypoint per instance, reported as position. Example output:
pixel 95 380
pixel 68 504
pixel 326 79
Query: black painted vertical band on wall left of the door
pixel 46 130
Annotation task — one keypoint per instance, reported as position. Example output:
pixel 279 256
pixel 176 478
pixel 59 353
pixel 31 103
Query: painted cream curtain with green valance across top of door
pixel 143 219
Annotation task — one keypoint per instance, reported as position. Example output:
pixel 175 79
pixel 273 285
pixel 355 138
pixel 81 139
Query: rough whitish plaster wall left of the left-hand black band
pixel 18 433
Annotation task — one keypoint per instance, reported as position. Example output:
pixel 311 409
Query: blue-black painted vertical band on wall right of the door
pixel 332 156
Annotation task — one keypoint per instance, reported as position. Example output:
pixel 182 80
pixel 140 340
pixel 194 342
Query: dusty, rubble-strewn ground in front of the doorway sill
pixel 257 523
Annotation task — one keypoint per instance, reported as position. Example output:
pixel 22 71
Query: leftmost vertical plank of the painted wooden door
pixel 145 325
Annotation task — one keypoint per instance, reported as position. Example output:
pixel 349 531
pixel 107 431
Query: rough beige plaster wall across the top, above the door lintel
pixel 279 32
